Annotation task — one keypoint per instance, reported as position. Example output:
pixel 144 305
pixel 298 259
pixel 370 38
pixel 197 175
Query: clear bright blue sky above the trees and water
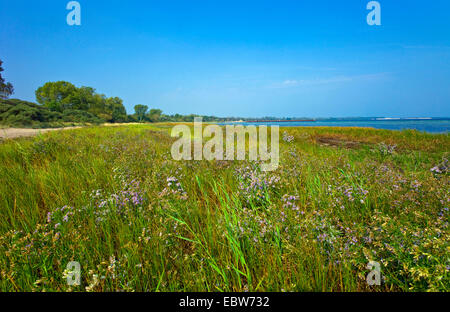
pixel 238 58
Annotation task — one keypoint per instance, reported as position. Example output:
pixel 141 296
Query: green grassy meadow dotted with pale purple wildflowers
pixel 113 199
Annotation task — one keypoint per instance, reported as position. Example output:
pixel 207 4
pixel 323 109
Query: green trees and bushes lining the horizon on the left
pixel 63 102
